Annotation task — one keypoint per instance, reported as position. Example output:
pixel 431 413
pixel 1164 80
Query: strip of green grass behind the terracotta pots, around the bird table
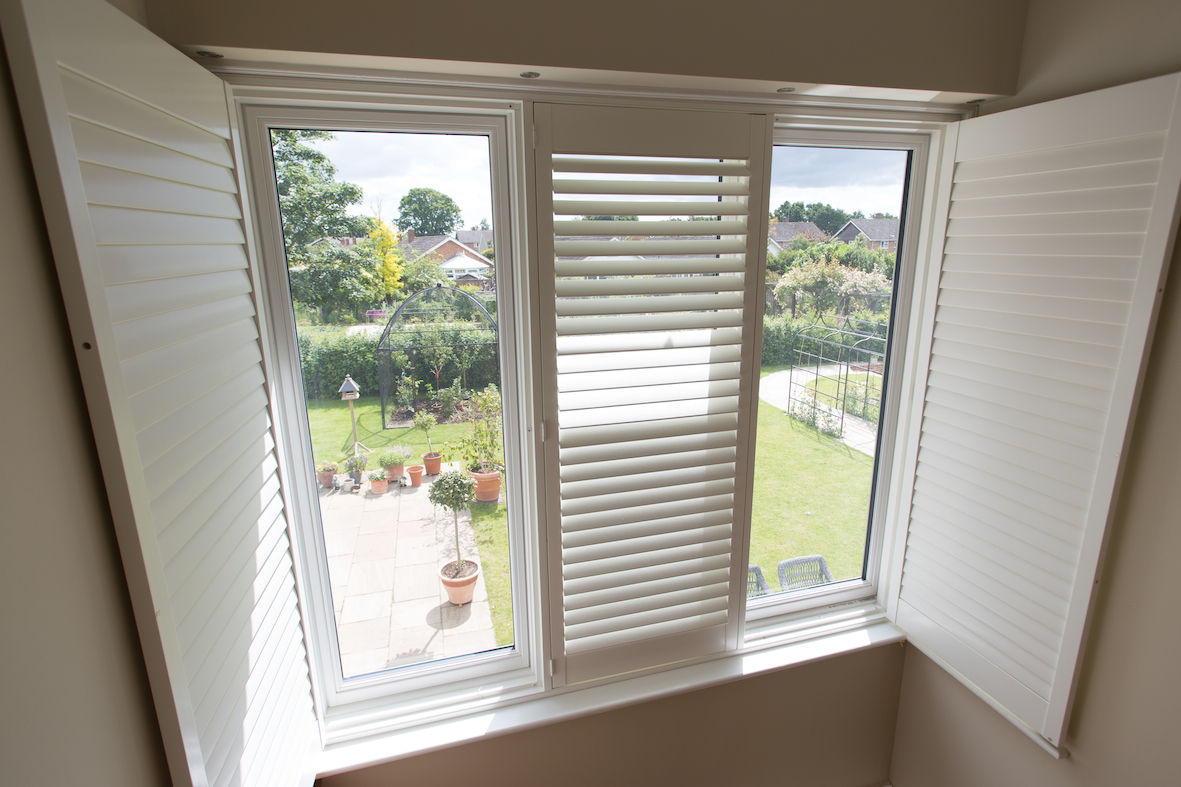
pixel 332 437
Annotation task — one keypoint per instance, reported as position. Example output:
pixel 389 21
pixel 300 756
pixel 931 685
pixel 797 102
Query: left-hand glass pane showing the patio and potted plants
pixel 399 343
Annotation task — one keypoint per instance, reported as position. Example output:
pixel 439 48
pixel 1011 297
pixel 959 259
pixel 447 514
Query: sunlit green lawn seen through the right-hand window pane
pixel 812 497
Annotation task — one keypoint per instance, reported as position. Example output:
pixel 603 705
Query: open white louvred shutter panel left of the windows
pixel 132 145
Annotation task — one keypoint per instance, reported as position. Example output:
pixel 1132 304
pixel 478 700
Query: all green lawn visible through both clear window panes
pixel 812 493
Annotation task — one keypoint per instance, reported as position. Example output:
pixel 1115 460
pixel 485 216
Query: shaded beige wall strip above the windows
pixel 954 45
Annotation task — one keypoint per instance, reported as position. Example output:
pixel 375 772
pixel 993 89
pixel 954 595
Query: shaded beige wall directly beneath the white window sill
pixel 825 725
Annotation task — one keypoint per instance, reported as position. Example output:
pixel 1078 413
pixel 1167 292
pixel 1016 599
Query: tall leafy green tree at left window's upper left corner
pixel 314 204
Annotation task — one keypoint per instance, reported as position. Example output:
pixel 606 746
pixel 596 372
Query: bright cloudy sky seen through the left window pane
pixel 388 165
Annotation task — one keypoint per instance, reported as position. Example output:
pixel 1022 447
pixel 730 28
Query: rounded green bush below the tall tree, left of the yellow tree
pixel 337 279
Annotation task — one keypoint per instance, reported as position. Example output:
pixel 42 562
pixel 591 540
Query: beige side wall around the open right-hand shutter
pixel 1125 727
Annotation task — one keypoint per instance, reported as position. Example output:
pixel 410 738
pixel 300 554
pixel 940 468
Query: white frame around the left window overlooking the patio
pixel 430 687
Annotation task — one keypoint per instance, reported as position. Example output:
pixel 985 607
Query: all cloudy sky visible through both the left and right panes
pixel 388 165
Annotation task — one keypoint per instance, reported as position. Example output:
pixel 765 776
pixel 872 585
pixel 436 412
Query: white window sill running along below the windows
pixel 834 633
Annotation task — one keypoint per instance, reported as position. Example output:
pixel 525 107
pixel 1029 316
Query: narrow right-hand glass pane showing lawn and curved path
pixel 832 251
